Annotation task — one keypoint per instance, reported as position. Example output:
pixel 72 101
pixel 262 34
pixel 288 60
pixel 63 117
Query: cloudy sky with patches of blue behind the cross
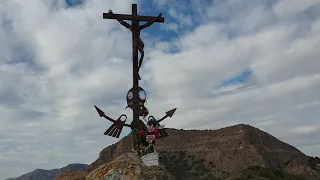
pixel 221 63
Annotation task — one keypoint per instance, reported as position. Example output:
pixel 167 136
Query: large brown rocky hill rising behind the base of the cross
pixel 238 151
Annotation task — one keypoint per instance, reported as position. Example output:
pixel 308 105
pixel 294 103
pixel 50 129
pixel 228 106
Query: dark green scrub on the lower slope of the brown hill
pixel 186 166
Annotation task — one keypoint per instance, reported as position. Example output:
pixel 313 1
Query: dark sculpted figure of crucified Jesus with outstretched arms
pixel 139 43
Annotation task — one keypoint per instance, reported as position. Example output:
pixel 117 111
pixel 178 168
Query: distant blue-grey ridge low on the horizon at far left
pixel 40 174
